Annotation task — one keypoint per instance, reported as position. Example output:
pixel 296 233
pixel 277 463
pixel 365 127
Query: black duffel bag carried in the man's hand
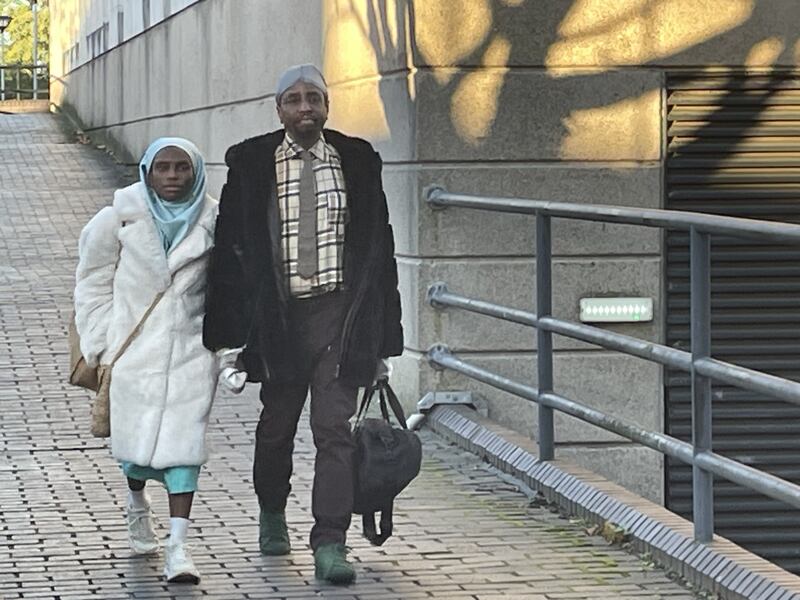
pixel 387 459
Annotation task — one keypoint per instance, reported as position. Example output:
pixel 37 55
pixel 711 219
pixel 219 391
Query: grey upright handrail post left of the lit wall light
pixel 544 338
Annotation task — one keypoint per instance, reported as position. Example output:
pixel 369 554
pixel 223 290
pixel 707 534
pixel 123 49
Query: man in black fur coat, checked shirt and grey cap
pixel 303 277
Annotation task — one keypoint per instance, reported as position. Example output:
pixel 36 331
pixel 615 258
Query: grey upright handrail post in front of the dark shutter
pixel 702 480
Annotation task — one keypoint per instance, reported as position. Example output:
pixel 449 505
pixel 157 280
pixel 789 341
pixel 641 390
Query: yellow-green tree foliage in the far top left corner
pixel 19 35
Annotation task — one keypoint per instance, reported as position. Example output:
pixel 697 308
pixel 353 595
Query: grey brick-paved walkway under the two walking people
pixel 461 530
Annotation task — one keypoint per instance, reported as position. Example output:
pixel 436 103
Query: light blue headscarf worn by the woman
pixel 174 219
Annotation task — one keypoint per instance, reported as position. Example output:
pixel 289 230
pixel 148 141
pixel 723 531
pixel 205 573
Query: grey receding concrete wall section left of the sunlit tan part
pixel 207 73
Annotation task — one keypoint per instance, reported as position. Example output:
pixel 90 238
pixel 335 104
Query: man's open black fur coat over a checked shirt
pixel 247 297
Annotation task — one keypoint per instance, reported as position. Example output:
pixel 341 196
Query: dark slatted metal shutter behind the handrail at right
pixel 734 149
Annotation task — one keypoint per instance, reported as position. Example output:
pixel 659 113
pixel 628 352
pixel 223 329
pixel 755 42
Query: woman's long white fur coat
pixel 163 385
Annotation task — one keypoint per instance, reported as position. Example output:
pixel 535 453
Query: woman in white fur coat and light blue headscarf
pixel 154 239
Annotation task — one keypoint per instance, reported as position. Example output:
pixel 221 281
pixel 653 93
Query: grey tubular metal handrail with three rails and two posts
pixel 698 362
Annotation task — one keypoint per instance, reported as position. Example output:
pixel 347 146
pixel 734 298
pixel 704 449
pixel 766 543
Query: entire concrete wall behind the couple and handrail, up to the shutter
pixel 553 99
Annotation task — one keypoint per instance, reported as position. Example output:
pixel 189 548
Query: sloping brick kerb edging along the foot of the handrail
pixel 721 567
